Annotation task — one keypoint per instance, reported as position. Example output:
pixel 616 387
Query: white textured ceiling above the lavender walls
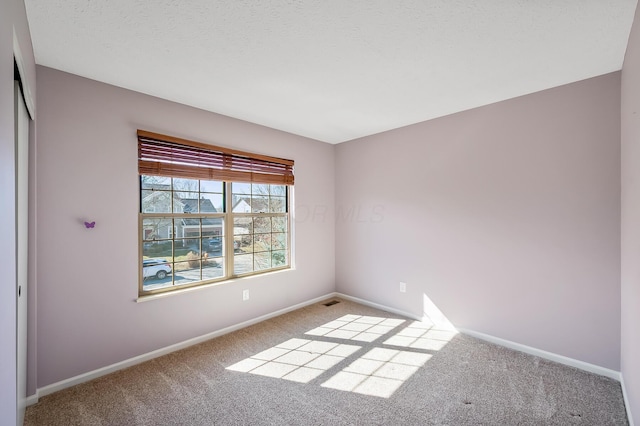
pixel 332 70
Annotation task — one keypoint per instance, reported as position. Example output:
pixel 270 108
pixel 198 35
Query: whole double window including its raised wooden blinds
pixel 208 214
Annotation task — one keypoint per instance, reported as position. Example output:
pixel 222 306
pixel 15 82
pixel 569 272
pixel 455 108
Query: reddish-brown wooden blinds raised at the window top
pixel 168 156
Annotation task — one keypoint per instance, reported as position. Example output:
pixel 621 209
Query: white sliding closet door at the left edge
pixel 22 238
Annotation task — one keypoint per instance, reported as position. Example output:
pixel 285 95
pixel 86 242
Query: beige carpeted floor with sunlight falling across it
pixel 344 364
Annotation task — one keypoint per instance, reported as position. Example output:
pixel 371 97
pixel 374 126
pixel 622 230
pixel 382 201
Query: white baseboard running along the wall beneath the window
pixel 85 377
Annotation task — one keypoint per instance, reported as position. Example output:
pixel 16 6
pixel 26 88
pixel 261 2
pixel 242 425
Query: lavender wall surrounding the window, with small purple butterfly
pixel 87 279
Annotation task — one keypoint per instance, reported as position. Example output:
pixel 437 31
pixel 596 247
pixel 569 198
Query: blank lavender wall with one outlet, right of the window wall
pixel 506 217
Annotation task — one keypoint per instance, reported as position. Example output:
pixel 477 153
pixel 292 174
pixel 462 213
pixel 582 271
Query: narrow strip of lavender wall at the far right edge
pixel 630 229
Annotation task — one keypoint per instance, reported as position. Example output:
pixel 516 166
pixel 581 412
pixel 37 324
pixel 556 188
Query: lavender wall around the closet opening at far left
pixel 12 16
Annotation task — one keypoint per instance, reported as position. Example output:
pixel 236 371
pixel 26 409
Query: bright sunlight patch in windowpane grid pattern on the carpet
pixel 379 372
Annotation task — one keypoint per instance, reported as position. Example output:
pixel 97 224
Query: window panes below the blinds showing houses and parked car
pixel 196 231
